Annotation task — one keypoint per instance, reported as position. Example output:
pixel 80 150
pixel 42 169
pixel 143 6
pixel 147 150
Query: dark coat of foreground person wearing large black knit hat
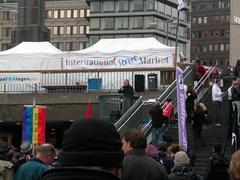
pixel 77 173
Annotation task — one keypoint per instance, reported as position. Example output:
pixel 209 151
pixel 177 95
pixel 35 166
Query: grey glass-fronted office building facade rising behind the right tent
pixel 137 19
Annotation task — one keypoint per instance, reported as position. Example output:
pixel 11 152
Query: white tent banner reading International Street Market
pixel 118 62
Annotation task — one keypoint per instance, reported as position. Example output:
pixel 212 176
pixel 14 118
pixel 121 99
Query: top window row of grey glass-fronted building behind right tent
pixel 135 5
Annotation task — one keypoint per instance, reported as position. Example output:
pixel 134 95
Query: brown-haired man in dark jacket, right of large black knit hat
pixel 136 164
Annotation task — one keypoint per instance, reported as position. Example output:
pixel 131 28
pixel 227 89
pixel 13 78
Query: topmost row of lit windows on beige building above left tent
pixel 69 13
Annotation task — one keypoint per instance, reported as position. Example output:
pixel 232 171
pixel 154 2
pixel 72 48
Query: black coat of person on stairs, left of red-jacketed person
pixel 157 118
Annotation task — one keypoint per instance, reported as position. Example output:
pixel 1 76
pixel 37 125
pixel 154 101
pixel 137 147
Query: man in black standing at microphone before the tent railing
pixel 128 92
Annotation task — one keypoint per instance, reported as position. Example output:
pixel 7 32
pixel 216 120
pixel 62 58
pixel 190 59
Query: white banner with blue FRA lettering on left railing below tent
pixel 20 78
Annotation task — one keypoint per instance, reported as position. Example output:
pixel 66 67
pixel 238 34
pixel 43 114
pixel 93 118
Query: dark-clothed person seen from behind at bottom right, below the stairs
pixel 217 167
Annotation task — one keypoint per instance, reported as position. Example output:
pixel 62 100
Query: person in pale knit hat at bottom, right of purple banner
pixel 182 168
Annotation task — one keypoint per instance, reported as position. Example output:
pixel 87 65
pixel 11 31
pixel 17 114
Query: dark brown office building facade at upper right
pixel 210 29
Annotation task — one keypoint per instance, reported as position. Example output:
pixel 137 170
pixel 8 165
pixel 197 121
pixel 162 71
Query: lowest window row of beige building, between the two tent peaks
pixel 70 46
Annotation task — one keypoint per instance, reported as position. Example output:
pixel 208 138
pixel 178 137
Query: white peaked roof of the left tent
pixel 32 48
